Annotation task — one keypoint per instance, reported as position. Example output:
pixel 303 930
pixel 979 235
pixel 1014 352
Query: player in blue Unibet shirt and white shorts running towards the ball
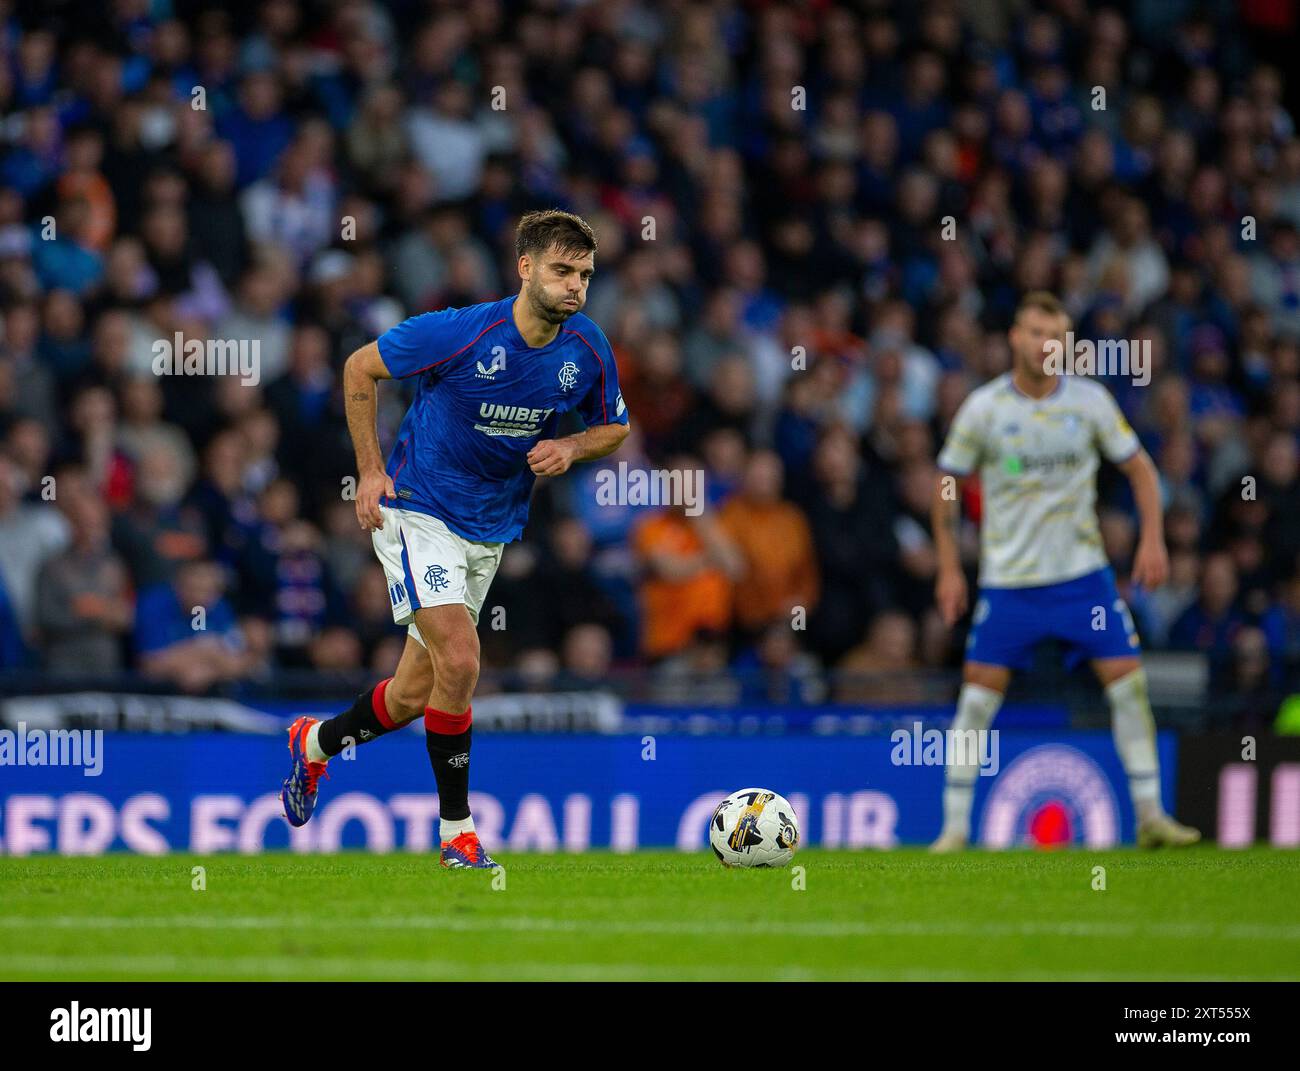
pixel 492 383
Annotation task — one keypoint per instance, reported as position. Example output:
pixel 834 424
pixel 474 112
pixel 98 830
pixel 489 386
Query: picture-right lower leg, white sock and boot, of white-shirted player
pixel 1134 730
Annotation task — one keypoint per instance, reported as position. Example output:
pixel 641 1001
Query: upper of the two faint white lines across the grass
pixel 684 929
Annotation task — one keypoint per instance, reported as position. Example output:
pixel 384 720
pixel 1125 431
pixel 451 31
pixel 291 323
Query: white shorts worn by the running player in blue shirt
pixel 428 565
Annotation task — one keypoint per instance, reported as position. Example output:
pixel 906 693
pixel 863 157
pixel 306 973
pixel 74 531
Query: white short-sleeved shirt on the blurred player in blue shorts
pixel 1038 466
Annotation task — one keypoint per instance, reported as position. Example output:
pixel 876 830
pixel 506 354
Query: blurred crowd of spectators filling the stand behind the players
pixel 816 222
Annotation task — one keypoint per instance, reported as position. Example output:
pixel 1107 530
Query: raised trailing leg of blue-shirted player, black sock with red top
pixel 391 705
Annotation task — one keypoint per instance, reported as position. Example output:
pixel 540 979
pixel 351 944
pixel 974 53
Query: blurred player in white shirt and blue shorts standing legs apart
pixel 1034 439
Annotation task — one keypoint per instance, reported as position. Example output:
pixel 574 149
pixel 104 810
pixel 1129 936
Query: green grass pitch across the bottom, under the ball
pixel 902 916
